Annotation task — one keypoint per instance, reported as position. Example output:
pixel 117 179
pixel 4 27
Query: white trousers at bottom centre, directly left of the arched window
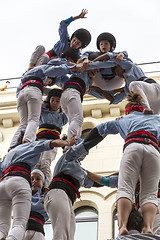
pixel 59 208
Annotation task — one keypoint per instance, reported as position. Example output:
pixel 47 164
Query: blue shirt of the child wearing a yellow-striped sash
pixel 55 117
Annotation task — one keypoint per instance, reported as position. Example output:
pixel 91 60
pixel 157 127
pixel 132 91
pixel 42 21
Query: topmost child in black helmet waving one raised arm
pixel 79 39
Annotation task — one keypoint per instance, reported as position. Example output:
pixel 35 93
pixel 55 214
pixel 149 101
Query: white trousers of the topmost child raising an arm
pixel 39 57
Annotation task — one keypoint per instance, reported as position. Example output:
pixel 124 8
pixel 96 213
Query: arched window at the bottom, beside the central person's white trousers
pixel 86 223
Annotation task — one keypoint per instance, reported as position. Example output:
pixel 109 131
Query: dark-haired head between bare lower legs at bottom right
pixel 135 220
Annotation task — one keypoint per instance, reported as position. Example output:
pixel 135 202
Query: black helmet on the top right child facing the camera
pixel 109 37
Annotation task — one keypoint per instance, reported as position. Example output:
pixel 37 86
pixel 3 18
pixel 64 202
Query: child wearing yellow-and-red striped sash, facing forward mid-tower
pixel 51 122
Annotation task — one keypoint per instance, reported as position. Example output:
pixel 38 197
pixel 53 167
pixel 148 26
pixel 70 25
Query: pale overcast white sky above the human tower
pixel 24 24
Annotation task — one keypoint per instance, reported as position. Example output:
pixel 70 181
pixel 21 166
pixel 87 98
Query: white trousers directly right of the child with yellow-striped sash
pixel 72 107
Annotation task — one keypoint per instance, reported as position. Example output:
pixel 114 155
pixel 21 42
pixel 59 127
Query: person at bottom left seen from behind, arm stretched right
pixel 15 191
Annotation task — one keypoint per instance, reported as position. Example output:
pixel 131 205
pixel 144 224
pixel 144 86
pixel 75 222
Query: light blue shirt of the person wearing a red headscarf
pixel 132 122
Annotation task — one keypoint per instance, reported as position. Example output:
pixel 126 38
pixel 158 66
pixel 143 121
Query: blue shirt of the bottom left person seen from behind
pixel 28 153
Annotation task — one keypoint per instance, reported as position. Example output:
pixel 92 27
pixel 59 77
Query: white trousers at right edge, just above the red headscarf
pixel 150 93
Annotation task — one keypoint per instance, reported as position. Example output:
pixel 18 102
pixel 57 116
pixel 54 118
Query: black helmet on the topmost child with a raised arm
pixel 83 35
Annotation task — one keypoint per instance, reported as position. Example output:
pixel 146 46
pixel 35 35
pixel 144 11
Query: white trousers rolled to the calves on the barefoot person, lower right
pixel 144 161
